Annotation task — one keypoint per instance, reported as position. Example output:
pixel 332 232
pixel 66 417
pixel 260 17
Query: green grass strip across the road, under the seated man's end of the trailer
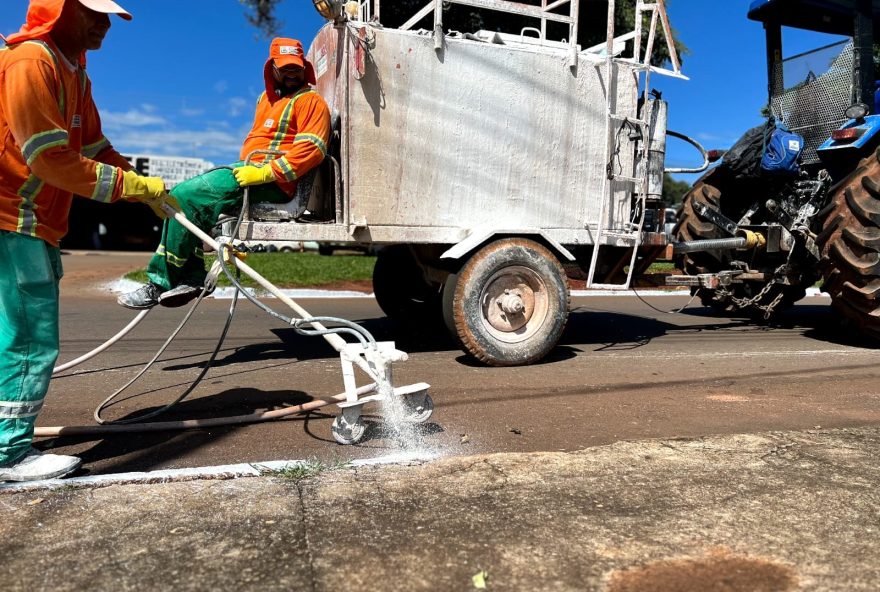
pixel 295 270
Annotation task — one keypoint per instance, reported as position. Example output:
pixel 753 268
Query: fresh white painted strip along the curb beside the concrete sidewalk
pixel 236 471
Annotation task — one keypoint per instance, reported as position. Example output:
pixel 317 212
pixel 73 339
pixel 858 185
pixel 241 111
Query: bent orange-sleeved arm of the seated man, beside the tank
pixel 310 144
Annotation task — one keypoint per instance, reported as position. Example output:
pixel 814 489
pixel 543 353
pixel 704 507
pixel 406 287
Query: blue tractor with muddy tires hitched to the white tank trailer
pixel 819 222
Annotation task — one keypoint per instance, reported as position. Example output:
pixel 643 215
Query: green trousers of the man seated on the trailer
pixel 179 258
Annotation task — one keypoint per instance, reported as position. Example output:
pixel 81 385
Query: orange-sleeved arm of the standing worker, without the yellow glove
pixel 31 108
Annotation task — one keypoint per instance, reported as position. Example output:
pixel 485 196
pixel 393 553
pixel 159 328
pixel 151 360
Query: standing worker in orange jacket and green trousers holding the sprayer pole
pixel 52 148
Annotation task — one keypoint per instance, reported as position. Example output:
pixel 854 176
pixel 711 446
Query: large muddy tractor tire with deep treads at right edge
pixel 850 247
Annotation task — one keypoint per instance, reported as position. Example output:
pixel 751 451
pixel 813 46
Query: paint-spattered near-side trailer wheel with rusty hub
pixel 509 303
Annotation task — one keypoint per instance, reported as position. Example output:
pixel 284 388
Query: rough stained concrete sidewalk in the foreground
pixel 780 511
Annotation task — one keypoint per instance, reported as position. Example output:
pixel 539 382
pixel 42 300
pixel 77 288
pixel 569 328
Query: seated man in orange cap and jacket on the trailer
pixel 291 118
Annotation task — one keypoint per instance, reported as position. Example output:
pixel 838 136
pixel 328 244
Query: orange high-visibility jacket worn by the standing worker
pixel 53 146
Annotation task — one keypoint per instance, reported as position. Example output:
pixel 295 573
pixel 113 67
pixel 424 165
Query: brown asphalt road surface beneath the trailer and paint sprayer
pixel 621 371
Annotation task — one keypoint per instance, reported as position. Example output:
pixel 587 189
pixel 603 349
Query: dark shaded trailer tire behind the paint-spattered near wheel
pixel 400 288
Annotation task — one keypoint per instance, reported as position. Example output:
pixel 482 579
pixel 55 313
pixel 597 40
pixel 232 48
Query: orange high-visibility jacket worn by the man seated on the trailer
pixel 298 125
